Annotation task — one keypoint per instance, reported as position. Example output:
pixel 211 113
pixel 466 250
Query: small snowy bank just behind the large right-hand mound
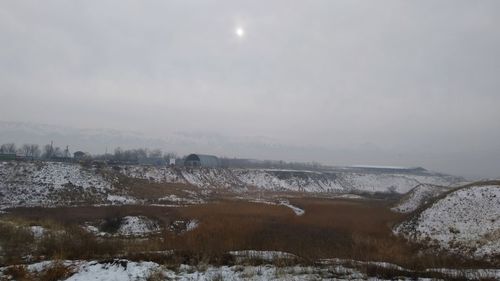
pixel 418 196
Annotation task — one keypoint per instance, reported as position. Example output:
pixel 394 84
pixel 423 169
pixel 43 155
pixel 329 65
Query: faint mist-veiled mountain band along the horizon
pixel 98 141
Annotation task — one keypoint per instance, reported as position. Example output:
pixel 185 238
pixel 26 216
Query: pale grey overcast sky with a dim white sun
pixel 412 83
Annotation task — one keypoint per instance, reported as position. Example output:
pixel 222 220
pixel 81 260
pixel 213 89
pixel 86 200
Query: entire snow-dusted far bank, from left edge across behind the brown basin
pixel 49 183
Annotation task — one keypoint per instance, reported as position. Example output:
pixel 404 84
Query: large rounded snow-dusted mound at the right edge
pixel 466 221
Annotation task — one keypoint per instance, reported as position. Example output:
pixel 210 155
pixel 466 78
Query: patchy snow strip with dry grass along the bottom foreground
pixel 124 270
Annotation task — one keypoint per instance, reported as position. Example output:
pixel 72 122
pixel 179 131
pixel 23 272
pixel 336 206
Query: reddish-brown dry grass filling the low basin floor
pixel 330 228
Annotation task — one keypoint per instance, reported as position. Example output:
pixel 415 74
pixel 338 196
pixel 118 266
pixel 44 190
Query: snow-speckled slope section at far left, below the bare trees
pixel 49 183
